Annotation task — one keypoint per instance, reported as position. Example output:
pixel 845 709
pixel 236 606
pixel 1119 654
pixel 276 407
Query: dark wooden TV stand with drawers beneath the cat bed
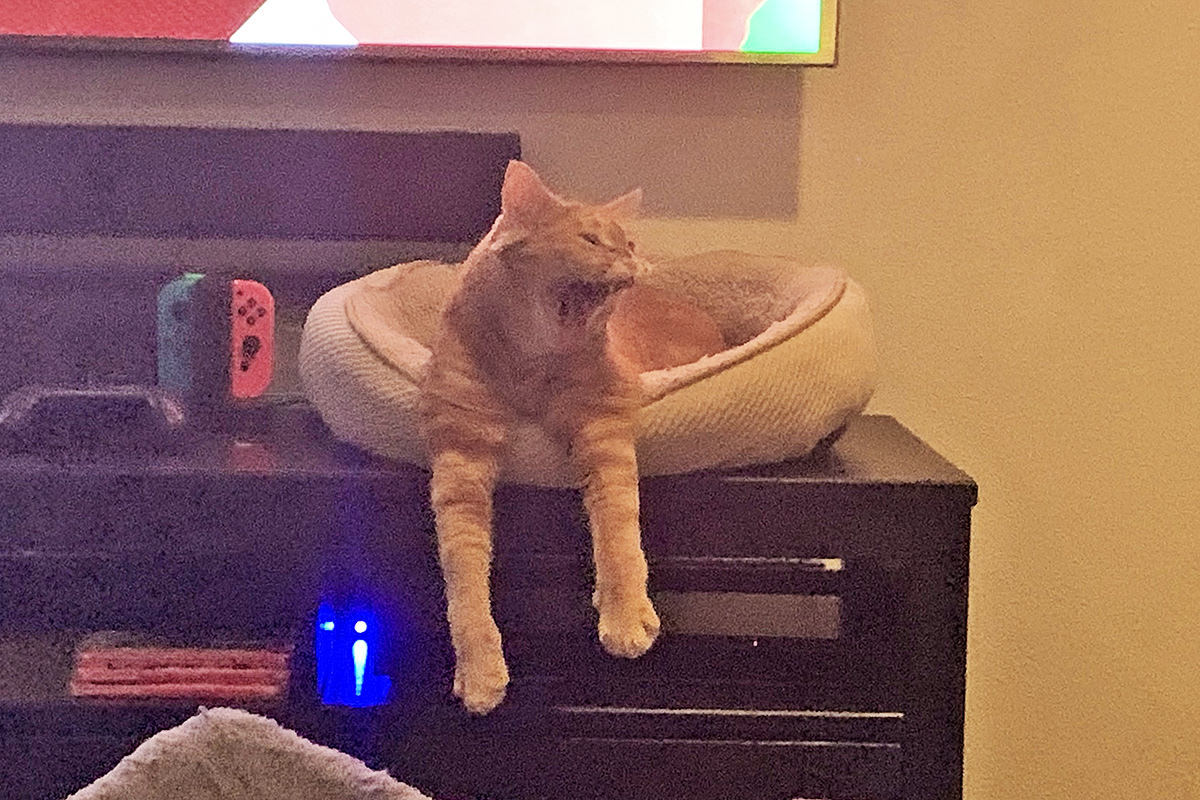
pixel 814 612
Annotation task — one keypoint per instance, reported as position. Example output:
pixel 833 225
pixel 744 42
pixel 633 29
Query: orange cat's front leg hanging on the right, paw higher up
pixel 604 453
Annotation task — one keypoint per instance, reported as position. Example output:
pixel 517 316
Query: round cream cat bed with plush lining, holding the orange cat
pixel 801 363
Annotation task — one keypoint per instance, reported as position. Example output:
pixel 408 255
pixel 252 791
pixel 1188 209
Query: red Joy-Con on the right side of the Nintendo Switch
pixel 253 357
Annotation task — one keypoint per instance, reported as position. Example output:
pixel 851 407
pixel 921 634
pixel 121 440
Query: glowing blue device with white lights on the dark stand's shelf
pixel 349 643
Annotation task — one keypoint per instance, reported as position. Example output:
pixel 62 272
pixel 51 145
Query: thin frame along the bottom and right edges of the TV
pixel 221 50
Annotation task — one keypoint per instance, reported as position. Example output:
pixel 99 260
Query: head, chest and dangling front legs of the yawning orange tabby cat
pixel 525 338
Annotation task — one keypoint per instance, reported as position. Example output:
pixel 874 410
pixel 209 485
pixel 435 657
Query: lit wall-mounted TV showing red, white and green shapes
pixel 773 32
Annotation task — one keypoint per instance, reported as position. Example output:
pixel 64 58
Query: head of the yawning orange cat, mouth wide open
pixel 571 257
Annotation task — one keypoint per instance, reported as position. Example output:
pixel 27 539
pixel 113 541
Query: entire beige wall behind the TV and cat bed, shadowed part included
pixel 1019 190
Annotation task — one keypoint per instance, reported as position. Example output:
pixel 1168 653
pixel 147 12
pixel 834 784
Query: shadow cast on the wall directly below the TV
pixel 705 141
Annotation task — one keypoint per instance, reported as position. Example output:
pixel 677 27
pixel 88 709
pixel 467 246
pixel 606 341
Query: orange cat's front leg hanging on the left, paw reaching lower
pixel 461 494
